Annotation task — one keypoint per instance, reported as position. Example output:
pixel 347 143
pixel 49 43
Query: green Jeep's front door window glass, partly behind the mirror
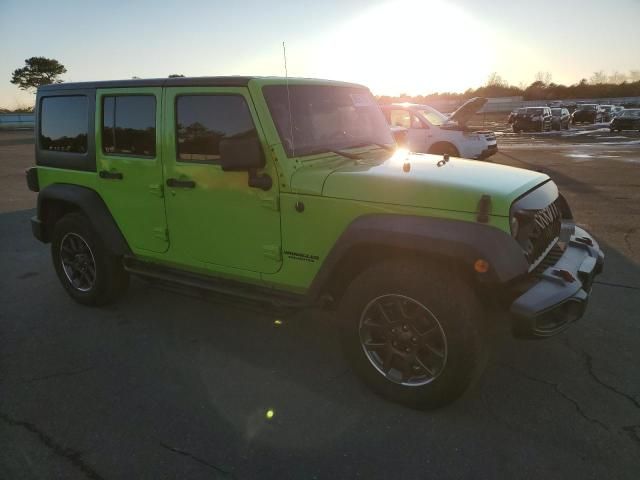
pixel 202 121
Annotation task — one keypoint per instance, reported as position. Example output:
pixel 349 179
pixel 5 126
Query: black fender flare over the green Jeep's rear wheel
pixel 90 203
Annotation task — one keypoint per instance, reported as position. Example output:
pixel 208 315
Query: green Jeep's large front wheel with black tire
pixel 413 332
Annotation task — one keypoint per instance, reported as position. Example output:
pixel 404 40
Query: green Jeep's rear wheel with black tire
pixel 90 274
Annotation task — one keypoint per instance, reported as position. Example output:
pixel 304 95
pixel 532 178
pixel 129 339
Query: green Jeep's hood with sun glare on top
pixel 456 185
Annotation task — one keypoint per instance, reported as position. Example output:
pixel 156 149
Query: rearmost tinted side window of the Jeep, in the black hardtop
pixel 64 124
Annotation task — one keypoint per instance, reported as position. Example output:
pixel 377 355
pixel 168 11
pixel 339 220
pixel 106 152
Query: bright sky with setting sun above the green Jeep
pixel 392 46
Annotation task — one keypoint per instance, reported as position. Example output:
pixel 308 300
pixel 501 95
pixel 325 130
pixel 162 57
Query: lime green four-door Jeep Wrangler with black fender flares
pixel 291 192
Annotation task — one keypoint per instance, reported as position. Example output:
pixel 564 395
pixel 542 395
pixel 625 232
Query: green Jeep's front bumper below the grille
pixel 561 294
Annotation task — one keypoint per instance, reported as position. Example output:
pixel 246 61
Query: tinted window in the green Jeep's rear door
pixel 129 125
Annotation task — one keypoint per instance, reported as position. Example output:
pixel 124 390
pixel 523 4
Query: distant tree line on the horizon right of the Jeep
pixel 599 85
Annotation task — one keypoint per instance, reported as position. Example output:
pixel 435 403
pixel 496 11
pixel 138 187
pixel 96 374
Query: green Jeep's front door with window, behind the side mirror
pixel 216 220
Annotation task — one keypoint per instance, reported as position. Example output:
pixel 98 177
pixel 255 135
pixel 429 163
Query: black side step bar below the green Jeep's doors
pixel 227 288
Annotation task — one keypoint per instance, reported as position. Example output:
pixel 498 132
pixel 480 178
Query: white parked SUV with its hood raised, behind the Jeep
pixel 426 130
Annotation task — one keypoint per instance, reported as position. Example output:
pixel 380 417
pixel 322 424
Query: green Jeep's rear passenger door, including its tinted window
pixel 129 164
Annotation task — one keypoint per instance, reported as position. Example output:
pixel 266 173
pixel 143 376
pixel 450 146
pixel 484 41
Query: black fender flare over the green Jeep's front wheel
pixel 463 241
